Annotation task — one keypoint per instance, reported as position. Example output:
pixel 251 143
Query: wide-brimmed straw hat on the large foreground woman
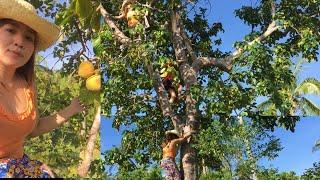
pixel 24 12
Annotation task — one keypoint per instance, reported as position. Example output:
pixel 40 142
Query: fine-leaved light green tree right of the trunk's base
pixel 235 147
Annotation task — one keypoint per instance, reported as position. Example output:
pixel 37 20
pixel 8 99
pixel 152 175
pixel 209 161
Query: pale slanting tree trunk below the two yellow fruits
pixel 83 168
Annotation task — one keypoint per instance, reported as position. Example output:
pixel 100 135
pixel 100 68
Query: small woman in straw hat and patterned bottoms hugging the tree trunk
pixel 170 148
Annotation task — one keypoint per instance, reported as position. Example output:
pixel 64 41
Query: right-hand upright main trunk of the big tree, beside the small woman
pixel 188 75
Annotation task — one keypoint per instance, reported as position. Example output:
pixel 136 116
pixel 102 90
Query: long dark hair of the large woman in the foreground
pixel 27 70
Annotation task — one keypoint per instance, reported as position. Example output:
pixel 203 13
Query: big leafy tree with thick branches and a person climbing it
pixel 170 39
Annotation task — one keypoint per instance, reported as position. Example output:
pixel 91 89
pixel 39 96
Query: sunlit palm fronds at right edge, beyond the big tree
pixel 309 86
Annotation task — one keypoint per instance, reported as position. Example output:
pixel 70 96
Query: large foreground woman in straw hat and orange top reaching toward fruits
pixel 22 34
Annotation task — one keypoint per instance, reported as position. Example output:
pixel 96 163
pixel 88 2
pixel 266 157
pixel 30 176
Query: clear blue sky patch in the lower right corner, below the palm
pixel 297 154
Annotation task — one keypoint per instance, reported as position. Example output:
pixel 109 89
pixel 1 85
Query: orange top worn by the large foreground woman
pixel 14 128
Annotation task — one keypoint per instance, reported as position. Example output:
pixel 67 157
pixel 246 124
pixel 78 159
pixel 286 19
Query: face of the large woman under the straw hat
pixel 17 43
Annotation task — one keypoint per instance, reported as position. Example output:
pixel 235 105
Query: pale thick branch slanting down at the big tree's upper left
pixel 118 34
